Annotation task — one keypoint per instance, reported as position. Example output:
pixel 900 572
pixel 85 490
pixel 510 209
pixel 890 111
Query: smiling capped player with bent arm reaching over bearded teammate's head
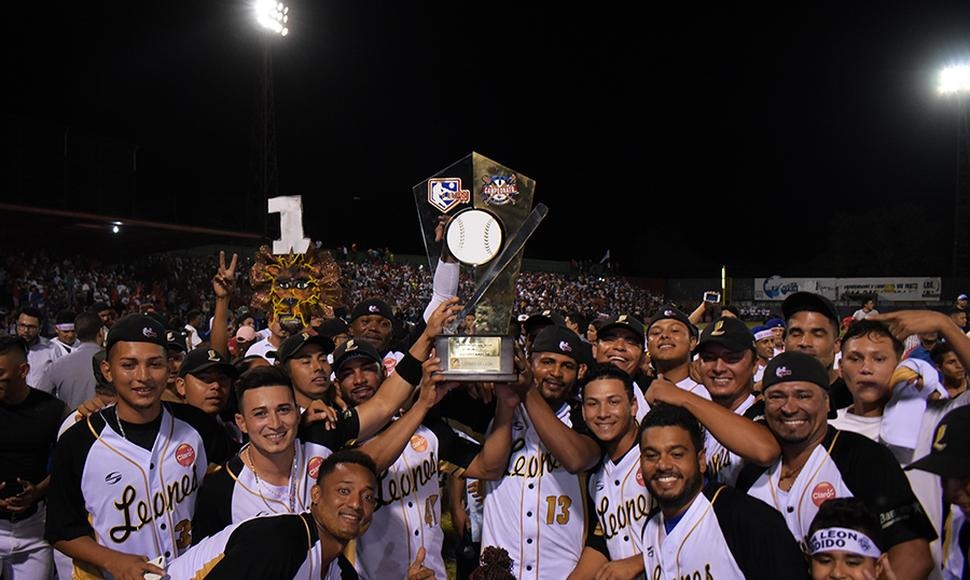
pixel 733 418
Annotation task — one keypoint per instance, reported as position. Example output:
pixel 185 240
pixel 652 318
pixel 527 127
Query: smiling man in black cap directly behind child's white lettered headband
pixel 820 462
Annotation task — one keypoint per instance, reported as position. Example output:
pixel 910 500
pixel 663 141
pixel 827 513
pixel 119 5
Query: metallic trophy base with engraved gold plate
pixel 475 358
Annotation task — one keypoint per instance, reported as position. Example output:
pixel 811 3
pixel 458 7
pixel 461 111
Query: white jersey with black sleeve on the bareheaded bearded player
pixel 724 534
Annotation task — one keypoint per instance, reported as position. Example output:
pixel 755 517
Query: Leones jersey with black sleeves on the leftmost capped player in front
pixel 134 493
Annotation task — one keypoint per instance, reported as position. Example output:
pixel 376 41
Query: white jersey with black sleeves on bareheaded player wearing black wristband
pixel 233 493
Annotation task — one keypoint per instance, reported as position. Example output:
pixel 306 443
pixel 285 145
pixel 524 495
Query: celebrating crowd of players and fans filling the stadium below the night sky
pixel 141 441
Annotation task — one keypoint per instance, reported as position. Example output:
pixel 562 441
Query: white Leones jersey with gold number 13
pixel 536 512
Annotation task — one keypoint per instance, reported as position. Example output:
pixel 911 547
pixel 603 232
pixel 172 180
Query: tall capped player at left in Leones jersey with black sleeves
pixel 124 481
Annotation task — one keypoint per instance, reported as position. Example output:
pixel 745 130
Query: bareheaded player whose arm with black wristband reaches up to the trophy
pixel 274 473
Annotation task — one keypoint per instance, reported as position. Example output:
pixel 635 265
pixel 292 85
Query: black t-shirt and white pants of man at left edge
pixel 28 431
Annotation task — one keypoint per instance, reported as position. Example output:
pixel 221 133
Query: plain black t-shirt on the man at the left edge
pixel 28 431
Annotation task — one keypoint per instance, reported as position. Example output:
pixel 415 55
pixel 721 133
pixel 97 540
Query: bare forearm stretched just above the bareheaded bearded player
pixel 752 442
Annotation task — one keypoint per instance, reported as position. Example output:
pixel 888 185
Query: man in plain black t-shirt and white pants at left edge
pixel 29 419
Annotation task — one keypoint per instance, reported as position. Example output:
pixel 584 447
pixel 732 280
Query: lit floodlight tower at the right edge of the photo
pixel 955 84
